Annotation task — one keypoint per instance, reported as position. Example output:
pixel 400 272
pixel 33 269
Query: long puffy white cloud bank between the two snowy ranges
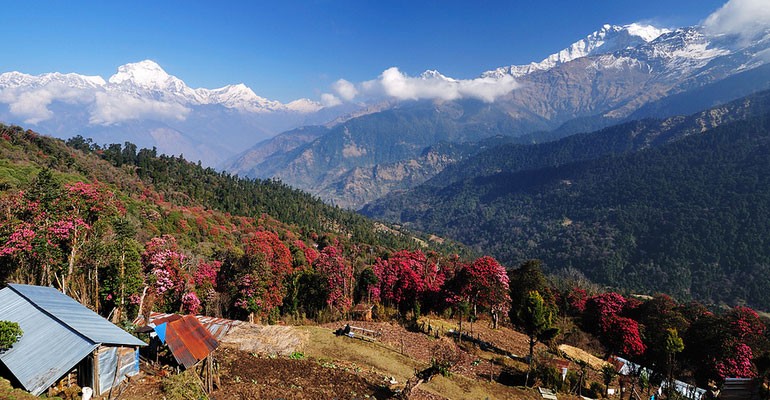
pixel 431 85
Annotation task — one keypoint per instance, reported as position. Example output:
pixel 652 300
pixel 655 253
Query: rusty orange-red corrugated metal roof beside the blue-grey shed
pixel 189 341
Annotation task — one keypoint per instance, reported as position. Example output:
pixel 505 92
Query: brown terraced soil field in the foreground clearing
pixel 310 362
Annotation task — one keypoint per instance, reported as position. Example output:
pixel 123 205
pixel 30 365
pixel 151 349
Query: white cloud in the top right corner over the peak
pixel 745 18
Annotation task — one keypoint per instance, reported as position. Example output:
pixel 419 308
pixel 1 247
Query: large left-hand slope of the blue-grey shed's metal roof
pixel 47 349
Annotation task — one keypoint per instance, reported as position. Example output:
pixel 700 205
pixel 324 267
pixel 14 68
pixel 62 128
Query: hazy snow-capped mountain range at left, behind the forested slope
pixel 144 104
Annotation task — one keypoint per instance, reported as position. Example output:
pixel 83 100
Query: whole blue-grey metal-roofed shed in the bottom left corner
pixel 61 336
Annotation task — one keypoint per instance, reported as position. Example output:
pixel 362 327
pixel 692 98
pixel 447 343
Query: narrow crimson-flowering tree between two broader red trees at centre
pixel 339 277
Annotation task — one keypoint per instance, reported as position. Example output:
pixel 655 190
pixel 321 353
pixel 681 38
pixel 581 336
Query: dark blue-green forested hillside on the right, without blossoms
pixel 686 217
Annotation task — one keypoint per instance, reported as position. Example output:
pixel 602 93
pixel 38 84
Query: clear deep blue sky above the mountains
pixel 285 50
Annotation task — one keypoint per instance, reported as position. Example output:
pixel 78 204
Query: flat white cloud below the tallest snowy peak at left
pixel 112 107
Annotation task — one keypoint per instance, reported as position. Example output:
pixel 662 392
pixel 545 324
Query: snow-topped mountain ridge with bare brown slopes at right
pixel 596 82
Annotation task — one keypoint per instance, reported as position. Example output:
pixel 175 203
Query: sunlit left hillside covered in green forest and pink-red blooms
pixel 125 230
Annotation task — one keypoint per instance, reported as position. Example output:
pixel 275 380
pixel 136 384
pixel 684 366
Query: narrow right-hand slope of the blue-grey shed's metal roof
pixel 75 315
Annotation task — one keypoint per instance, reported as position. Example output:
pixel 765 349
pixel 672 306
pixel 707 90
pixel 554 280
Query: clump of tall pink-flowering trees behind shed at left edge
pixel 45 229
